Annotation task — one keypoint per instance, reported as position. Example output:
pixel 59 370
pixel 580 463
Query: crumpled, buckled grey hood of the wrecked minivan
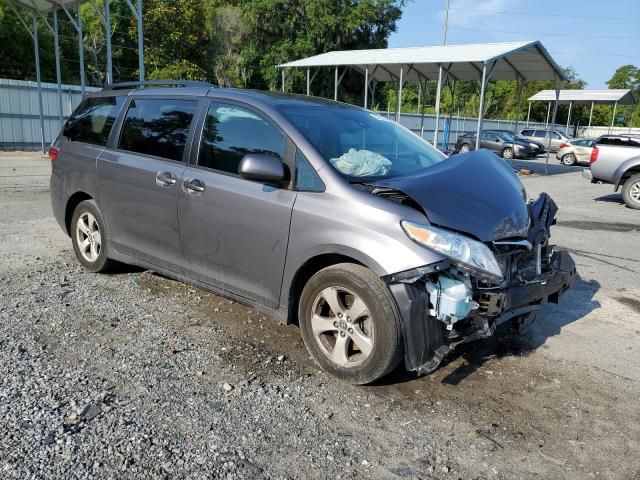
pixel 476 193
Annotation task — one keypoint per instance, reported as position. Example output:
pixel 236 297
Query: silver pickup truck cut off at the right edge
pixel 616 159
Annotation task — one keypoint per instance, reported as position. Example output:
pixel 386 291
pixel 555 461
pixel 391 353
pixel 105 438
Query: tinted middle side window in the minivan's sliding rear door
pixel 157 127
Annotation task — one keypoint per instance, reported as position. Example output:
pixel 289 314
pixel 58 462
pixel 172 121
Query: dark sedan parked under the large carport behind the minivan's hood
pixel 502 142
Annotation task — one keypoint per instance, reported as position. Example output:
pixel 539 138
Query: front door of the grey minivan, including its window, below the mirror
pixel 234 232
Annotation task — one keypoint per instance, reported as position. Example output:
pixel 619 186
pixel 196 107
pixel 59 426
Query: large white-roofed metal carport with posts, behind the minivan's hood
pixel 520 61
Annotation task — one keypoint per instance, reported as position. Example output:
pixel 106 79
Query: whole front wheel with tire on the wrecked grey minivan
pixel 350 323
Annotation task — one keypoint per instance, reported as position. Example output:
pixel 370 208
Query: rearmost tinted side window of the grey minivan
pixel 93 119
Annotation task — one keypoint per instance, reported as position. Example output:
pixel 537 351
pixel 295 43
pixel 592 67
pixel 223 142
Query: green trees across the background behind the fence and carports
pixel 238 43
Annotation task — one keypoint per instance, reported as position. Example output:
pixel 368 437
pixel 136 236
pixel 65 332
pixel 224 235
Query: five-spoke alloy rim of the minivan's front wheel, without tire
pixel 342 326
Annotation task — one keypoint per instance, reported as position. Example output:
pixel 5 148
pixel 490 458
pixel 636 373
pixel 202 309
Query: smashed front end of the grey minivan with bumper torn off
pixel 449 303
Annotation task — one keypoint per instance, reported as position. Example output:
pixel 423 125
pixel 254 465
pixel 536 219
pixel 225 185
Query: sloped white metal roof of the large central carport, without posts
pixel 527 60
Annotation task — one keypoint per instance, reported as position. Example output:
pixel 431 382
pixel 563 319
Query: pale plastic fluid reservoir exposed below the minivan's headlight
pixel 450 298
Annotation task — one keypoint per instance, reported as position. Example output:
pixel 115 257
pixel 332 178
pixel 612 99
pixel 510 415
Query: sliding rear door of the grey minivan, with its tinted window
pixel 139 178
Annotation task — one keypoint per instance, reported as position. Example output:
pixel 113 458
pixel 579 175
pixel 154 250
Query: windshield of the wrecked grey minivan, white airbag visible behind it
pixel 361 145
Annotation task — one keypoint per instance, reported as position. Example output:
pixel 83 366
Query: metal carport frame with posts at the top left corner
pixel 40 9
